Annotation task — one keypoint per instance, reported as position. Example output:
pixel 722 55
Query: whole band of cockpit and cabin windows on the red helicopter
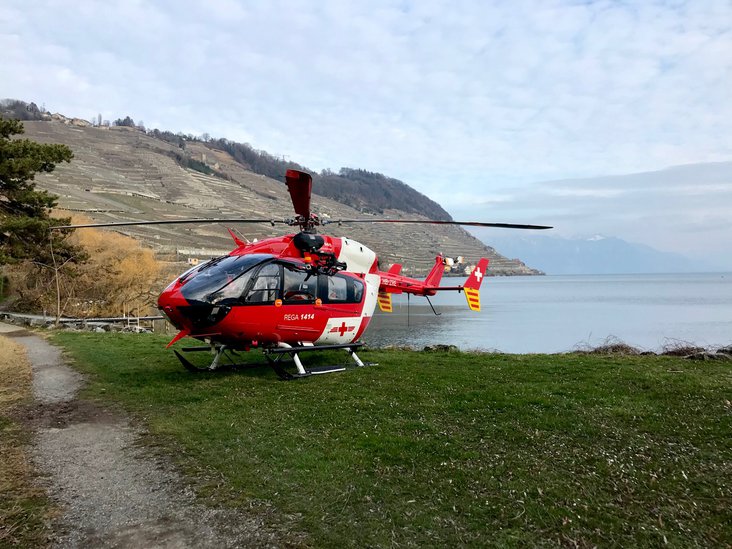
pixel 261 279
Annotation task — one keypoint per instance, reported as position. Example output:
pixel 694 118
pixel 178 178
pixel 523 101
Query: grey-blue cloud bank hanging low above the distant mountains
pixel 684 209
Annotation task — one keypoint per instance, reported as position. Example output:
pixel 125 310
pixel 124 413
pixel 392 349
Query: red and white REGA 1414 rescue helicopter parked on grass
pixel 296 293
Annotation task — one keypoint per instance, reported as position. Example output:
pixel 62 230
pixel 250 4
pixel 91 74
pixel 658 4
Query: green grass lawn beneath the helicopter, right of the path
pixel 445 449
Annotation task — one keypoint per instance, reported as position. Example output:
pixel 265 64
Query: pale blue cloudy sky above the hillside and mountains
pixel 502 111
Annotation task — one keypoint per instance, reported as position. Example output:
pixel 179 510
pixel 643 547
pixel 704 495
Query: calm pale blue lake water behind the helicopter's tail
pixel 550 314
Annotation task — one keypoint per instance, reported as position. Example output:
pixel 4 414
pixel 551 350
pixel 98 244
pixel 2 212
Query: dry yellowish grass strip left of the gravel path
pixel 23 504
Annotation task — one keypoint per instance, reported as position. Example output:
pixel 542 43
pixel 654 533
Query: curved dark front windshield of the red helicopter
pixel 217 273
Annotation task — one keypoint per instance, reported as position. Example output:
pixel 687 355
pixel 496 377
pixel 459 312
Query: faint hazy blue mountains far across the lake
pixel 593 255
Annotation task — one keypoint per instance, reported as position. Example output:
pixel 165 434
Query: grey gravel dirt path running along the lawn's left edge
pixel 113 491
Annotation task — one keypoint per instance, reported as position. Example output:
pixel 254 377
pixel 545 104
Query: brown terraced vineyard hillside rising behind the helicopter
pixel 122 173
